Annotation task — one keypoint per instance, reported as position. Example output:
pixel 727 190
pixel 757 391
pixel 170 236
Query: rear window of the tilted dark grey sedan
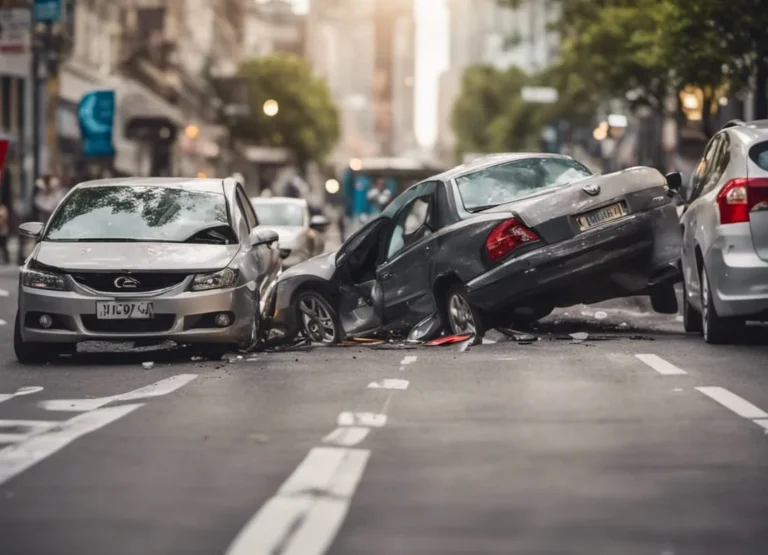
pixel 514 180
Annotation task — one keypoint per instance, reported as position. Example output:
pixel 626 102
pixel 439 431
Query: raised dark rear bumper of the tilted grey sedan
pixel 642 250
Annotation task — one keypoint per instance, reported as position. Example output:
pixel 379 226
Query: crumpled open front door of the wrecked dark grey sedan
pixel 361 303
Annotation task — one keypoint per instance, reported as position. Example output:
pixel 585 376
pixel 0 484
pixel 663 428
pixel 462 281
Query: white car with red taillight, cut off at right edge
pixel 725 238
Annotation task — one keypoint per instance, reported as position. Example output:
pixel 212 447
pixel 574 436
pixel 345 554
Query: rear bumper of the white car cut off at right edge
pixel 738 277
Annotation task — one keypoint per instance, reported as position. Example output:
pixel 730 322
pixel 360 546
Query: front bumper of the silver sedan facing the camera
pixel 180 315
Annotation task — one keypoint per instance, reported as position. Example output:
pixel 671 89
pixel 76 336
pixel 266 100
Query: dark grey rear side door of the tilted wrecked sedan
pixel 405 275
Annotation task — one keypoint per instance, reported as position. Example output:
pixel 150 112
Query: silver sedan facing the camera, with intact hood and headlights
pixel 146 259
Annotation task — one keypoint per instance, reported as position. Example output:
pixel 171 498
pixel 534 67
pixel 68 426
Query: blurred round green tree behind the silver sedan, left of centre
pixel 307 122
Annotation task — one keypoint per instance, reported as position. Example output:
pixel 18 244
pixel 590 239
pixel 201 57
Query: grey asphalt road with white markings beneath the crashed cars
pixel 652 445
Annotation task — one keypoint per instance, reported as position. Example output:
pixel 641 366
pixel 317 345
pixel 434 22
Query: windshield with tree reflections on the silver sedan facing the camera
pixel 136 213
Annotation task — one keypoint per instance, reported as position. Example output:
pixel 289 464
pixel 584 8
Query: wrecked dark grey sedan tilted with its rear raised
pixel 503 240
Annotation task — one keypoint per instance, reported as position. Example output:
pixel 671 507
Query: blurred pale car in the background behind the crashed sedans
pixel 301 234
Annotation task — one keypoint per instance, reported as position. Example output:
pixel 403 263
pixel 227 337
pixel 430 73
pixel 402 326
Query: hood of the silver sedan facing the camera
pixel 134 256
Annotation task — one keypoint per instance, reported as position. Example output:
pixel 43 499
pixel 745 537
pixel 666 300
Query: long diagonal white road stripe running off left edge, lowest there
pixel 17 458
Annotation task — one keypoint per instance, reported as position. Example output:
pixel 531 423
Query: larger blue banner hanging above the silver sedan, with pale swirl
pixel 96 114
